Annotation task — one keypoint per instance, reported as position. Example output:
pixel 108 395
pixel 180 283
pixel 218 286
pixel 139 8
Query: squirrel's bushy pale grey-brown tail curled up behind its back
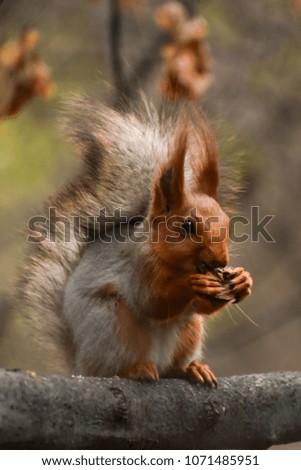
pixel 118 153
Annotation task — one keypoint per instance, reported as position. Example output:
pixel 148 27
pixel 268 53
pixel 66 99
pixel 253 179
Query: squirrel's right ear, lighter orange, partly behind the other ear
pixel 204 160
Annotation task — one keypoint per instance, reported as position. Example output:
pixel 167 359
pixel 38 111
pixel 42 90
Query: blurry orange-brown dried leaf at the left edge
pixel 23 74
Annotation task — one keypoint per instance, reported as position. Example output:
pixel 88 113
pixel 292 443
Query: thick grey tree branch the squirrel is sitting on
pixel 56 412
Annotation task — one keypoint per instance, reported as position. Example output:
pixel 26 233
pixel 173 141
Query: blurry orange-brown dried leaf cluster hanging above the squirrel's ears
pixel 187 60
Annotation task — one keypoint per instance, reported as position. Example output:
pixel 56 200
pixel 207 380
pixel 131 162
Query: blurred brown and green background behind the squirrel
pixel 249 85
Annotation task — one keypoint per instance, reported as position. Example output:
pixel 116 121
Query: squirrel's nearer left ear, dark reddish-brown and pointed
pixel 169 188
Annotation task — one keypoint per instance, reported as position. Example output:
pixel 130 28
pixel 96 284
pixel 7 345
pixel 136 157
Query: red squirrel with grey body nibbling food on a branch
pixel 131 299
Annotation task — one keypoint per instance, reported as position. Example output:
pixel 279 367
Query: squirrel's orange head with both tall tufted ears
pixel 189 229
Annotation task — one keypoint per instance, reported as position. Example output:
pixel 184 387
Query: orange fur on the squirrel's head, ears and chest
pixel 167 276
